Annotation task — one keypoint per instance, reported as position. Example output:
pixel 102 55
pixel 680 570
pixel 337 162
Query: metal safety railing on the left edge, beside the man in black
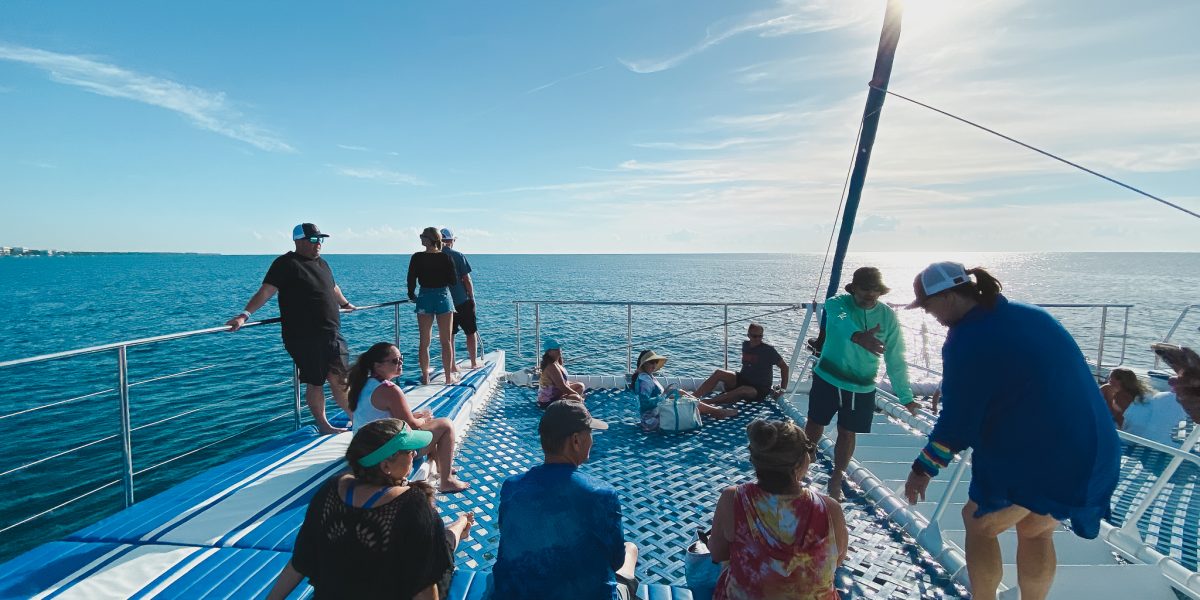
pixel 124 386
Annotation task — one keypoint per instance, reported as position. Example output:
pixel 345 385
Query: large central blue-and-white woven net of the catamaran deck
pixel 669 484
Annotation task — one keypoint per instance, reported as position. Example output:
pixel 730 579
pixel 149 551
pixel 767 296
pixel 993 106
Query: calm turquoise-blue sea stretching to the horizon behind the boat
pixel 196 392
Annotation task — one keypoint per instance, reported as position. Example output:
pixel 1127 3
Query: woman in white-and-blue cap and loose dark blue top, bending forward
pixel 1045 445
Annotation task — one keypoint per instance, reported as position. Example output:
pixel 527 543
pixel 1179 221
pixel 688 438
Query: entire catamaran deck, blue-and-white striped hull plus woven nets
pixel 227 532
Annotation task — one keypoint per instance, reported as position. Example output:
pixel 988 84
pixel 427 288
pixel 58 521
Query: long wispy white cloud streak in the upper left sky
pixel 206 110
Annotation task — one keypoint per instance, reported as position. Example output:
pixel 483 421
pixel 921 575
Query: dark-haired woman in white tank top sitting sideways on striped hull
pixel 374 395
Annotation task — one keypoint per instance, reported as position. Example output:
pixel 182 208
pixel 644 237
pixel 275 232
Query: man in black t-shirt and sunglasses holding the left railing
pixel 310 320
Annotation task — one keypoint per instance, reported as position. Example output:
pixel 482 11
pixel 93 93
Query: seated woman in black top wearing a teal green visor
pixel 370 533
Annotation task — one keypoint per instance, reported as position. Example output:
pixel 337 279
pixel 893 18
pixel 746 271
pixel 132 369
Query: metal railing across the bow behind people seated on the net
pixel 781 308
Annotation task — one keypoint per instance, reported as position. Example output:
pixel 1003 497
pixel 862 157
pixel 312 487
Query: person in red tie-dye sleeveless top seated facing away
pixel 782 539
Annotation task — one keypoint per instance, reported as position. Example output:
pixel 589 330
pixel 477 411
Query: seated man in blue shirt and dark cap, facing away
pixel 561 530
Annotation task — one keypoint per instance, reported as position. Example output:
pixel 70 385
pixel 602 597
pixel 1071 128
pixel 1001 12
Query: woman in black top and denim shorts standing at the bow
pixel 436 273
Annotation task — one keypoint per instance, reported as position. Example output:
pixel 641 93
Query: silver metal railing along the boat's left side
pixel 124 386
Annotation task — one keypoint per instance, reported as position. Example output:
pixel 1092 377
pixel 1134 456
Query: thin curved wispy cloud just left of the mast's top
pixel 787 19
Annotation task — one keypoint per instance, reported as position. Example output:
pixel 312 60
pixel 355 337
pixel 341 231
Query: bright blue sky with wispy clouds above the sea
pixel 617 127
